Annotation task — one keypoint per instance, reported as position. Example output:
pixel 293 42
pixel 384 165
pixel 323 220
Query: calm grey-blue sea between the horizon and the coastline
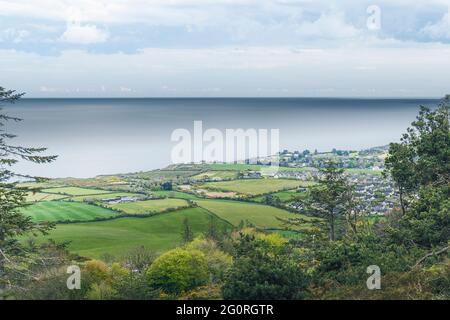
pixel 104 136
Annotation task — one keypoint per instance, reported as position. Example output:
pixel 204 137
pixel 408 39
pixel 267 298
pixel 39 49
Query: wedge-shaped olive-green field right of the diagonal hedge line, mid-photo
pixel 235 211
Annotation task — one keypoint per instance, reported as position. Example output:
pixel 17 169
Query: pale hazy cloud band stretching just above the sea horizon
pixel 153 72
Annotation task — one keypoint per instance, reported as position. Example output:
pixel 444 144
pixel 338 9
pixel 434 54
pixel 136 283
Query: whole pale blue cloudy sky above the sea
pixel 225 48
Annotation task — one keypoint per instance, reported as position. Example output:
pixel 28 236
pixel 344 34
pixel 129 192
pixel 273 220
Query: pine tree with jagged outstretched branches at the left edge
pixel 13 254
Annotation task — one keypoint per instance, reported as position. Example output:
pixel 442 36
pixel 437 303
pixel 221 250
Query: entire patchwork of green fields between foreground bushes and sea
pixel 94 239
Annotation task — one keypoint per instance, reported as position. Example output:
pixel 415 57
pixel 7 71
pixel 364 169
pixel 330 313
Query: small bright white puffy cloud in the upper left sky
pixel 84 34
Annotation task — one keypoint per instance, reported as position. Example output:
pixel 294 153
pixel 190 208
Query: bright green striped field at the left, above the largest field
pixel 66 211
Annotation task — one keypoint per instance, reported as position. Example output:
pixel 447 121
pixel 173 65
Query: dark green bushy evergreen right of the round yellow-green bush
pixel 264 268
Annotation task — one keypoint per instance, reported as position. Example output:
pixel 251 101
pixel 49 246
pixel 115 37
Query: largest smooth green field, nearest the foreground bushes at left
pixel 115 237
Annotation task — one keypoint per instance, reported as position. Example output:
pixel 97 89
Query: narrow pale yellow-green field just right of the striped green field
pixel 149 206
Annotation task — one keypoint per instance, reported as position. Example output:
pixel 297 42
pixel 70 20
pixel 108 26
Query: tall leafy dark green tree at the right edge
pixel 420 167
